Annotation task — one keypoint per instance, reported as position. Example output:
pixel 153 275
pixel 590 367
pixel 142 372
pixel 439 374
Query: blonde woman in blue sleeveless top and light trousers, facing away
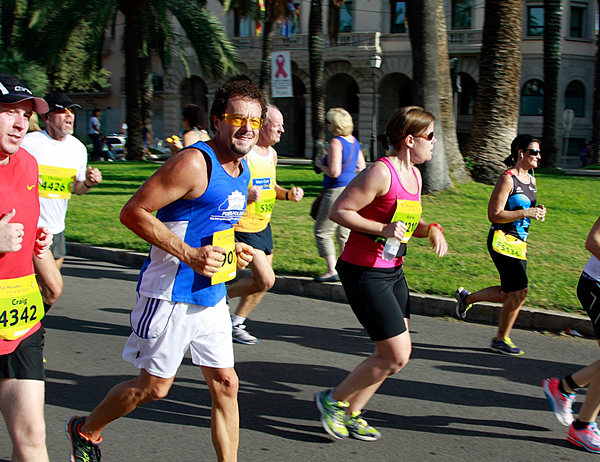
pixel 343 160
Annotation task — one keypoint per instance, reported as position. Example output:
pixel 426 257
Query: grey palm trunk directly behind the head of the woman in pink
pixel 423 38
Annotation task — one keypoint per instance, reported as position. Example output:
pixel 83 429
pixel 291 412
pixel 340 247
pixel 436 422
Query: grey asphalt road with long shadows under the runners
pixel 454 401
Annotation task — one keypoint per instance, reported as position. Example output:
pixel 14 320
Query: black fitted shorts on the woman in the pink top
pixel 378 296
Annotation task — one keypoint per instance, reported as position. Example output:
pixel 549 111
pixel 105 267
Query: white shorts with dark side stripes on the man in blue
pixel 163 331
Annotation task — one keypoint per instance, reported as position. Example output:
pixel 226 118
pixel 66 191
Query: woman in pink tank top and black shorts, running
pixel 383 202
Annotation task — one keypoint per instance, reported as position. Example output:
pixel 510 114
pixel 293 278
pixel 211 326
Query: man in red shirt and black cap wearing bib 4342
pixel 21 306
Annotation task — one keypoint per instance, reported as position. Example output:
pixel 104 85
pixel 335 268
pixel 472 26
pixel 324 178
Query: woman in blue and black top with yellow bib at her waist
pixel 511 208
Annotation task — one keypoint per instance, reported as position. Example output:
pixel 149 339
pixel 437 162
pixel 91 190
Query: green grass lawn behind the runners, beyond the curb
pixel 556 246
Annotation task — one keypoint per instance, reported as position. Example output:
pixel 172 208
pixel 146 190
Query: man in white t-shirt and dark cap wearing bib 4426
pixel 62 160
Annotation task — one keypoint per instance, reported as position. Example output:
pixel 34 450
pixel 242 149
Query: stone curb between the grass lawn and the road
pixel 430 305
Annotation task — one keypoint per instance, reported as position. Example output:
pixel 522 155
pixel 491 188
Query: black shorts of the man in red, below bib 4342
pixel 27 361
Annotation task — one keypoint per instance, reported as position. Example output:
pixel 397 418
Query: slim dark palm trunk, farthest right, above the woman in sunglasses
pixel 552 52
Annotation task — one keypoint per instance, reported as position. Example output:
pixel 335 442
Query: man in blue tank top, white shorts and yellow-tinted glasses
pixel 198 194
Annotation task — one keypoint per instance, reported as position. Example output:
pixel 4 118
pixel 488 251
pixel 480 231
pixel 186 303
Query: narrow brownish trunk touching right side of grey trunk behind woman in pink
pixel 454 158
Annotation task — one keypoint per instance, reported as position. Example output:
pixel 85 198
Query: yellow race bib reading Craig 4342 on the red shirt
pixel 21 306
